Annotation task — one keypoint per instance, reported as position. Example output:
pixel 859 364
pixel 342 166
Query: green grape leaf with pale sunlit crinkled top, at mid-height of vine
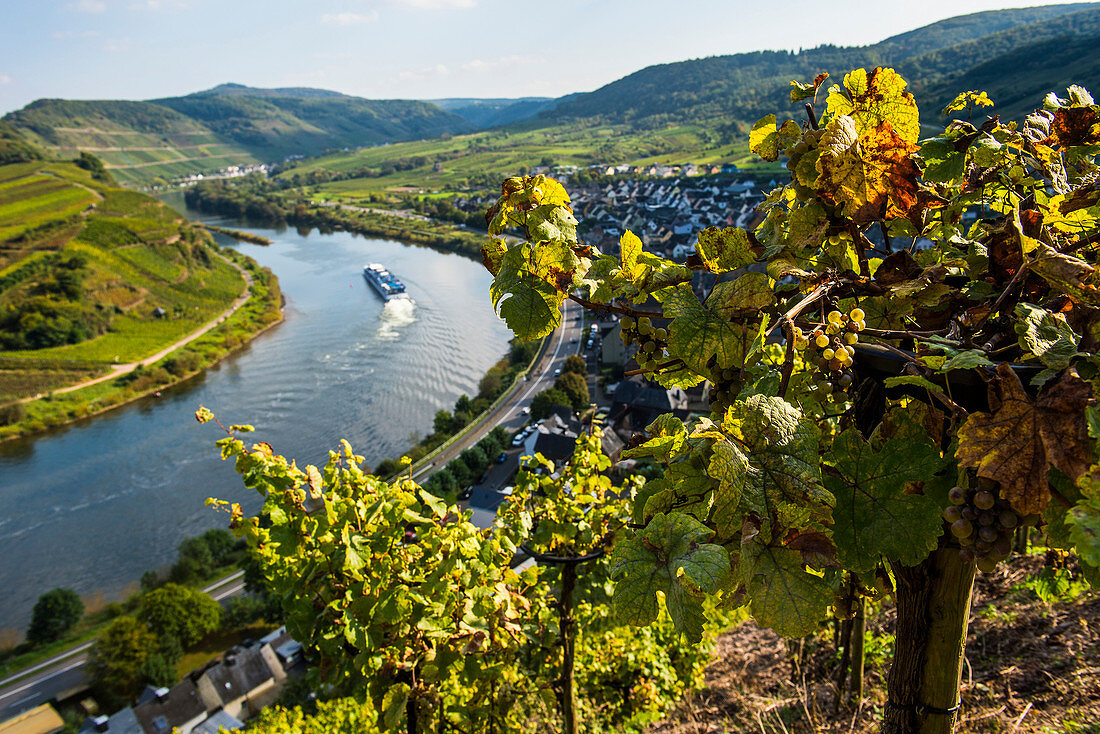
pixel 778 448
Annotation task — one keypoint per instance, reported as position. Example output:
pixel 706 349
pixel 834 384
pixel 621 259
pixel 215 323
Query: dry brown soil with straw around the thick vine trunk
pixel 1030 667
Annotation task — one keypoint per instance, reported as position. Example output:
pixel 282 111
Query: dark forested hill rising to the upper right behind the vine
pixel 746 86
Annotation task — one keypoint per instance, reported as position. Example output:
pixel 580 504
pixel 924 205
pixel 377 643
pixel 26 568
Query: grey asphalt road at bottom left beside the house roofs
pixel 65 673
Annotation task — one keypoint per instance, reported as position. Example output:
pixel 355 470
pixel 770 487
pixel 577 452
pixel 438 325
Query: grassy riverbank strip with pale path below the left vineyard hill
pixel 227 334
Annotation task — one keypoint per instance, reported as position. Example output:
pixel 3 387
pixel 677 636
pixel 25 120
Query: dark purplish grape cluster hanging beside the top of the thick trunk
pixel 983 523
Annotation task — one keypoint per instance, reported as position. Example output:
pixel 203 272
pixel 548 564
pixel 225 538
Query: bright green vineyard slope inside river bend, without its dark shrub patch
pixel 137 261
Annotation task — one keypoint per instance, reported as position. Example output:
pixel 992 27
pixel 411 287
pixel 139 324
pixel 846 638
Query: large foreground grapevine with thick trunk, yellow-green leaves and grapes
pixel 824 474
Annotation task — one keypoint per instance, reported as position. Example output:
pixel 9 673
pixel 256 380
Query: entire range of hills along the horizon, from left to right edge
pixel 1018 56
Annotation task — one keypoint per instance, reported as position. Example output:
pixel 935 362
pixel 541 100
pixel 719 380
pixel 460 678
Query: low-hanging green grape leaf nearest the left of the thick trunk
pixel 783 595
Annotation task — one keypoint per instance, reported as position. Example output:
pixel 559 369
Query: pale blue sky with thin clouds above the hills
pixel 408 49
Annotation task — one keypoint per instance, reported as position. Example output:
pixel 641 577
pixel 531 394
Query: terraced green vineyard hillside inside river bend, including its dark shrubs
pixel 93 276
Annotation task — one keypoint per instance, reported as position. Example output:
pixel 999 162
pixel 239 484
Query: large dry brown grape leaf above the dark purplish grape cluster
pixel 1017 443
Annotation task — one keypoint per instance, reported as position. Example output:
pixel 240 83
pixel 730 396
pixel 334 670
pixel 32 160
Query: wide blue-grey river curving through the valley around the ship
pixel 96 505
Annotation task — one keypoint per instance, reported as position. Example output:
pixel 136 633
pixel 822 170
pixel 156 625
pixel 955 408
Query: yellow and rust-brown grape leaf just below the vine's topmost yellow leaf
pixel 872 176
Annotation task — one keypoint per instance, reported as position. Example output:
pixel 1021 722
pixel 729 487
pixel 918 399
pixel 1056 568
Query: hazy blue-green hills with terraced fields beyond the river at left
pixel 230 125
